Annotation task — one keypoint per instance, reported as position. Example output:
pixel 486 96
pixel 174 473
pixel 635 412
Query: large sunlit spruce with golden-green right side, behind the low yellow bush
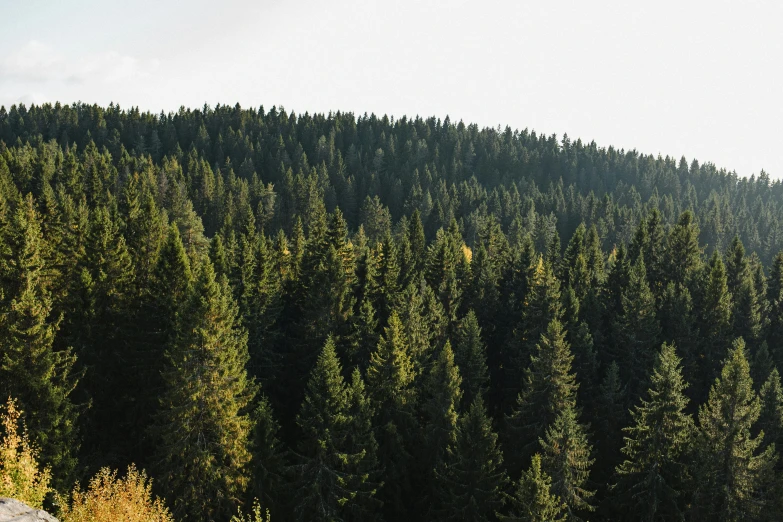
pixel 203 426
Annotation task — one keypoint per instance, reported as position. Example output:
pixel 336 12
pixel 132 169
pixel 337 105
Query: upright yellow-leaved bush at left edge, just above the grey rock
pixel 20 477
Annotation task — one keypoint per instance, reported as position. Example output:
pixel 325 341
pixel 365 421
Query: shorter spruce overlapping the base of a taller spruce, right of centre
pixel 566 458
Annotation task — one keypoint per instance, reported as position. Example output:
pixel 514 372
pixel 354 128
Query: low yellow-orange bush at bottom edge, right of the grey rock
pixel 109 499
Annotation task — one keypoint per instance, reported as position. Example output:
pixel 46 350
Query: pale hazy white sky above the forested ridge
pixel 694 78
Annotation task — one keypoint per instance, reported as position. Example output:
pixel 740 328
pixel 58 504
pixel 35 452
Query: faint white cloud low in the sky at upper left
pixel 39 63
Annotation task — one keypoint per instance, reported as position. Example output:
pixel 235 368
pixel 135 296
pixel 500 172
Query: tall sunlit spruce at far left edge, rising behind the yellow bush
pixel 32 369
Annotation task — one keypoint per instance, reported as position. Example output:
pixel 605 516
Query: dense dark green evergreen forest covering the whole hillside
pixel 359 318
